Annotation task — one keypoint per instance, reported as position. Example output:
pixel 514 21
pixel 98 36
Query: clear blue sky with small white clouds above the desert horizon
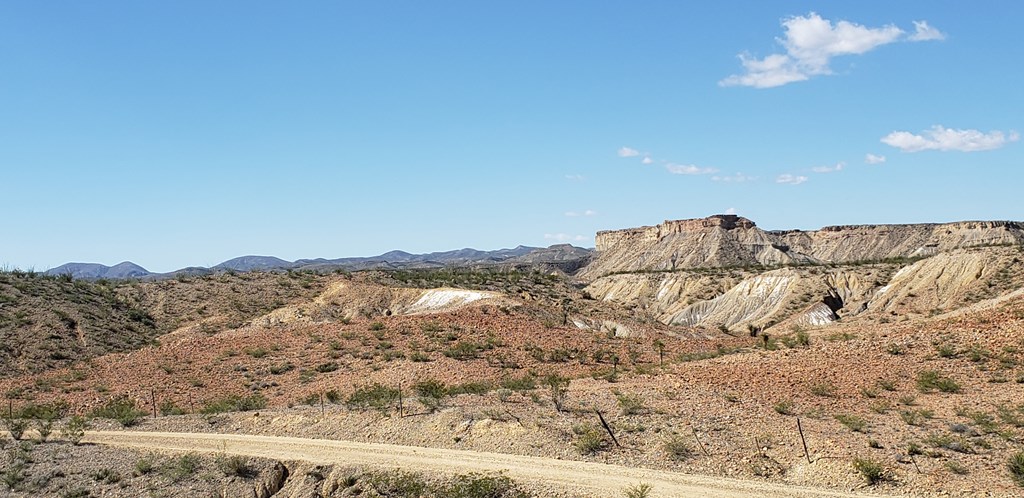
pixel 184 134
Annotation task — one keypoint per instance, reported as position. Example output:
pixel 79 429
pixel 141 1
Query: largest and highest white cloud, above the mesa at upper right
pixel 810 45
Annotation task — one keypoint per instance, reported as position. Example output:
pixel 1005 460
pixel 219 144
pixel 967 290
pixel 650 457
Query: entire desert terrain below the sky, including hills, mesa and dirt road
pixel 850 361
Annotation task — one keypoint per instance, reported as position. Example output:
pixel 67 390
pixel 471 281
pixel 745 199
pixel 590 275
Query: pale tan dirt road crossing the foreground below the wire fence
pixel 583 478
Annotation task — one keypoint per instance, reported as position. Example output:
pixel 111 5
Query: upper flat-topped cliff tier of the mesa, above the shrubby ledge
pixel 728 240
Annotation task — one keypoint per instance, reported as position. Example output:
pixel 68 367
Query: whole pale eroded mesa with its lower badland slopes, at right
pixel 724 272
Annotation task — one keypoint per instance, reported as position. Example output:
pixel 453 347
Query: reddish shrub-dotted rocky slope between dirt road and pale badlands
pixel 936 404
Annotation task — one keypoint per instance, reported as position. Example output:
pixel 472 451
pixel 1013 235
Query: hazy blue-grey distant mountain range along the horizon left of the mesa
pixel 564 257
